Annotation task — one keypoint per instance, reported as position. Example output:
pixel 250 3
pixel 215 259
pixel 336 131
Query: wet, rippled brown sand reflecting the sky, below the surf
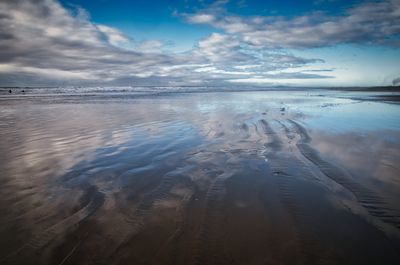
pixel 208 178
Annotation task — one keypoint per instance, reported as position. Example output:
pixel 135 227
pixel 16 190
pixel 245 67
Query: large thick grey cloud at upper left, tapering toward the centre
pixel 44 38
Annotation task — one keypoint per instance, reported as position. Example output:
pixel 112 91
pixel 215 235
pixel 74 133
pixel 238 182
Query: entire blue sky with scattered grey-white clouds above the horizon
pixel 199 43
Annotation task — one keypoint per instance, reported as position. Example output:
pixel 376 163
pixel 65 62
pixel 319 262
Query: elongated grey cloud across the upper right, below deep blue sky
pixel 370 22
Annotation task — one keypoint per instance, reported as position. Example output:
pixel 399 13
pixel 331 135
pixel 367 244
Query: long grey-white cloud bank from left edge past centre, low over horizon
pixel 42 43
